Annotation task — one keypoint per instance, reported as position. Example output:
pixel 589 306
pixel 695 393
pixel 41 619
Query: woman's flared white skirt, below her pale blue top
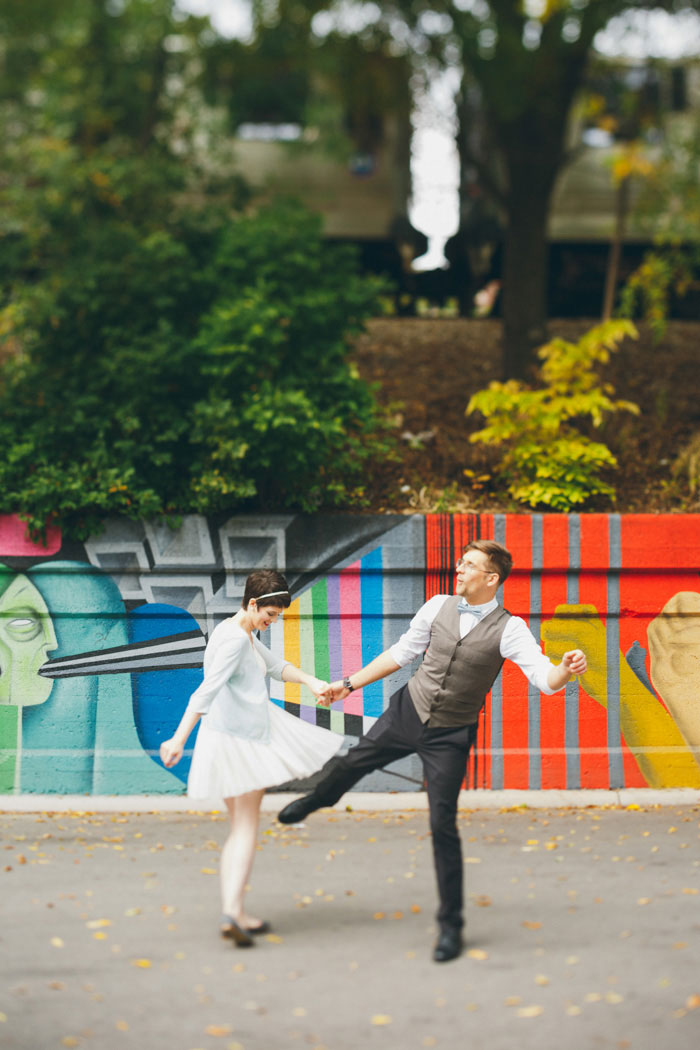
pixel 225 766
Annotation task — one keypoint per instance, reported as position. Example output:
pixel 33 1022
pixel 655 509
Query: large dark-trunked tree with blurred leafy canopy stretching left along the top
pixel 522 65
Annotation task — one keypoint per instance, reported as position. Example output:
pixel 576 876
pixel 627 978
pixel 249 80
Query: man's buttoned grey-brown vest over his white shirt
pixel 451 686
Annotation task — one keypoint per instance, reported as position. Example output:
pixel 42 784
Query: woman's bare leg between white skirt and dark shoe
pixel 239 854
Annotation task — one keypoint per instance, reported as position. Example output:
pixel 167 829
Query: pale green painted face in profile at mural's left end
pixel 27 636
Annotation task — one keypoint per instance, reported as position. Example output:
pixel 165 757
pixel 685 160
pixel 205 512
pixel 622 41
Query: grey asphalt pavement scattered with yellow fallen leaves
pixel 584 932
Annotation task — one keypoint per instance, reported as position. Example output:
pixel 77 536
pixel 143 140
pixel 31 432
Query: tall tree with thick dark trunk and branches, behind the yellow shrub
pixel 523 66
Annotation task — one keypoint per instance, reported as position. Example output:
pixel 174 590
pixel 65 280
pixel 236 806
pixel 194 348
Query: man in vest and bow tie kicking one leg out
pixel 465 640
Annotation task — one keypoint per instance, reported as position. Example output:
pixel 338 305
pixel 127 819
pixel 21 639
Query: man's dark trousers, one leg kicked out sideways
pixel 444 753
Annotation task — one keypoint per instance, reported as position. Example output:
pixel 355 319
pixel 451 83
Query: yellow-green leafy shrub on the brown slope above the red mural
pixel 547 461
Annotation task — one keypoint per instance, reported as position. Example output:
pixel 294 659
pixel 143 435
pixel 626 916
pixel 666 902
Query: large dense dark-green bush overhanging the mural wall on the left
pixel 149 383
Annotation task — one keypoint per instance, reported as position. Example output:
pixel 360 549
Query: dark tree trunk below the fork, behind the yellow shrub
pixel 525 276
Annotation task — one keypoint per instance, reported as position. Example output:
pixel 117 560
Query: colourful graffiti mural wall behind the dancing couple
pixel 101 643
